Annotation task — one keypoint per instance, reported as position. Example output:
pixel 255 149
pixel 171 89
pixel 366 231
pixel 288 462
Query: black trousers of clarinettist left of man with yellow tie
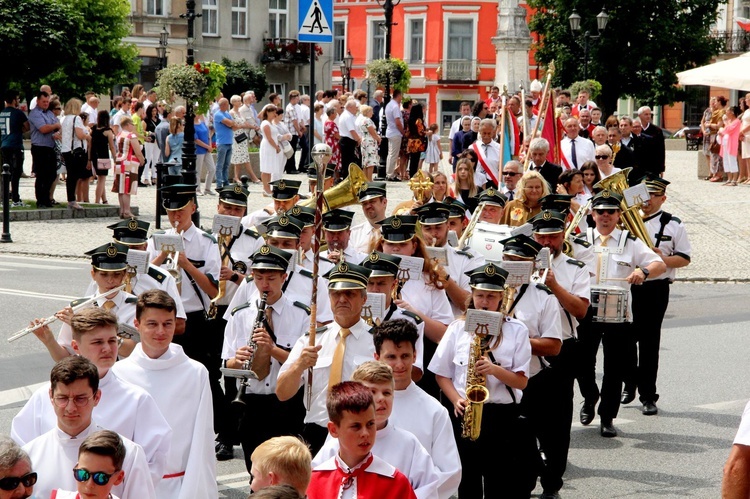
pixel 265 416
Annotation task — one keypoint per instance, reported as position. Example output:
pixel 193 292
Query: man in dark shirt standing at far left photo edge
pixel 13 123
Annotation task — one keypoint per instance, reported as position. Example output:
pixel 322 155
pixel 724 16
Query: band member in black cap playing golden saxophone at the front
pixel 504 364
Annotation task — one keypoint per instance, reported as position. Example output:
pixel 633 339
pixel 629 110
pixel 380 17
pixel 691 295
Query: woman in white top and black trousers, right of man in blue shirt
pixel 74 134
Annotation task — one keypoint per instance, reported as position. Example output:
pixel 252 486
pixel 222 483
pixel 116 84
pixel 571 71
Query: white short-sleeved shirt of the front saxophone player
pixel 451 359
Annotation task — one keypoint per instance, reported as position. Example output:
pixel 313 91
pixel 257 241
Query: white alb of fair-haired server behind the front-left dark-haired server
pixel 124 408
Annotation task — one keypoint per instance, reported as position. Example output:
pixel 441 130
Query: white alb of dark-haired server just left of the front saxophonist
pixel 417 412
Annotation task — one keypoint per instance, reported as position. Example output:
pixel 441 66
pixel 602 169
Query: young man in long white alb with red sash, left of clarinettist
pixel 180 387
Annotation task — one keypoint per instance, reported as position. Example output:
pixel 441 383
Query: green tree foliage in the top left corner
pixel 72 45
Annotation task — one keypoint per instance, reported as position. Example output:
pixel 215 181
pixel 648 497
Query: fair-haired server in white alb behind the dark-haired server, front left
pixel 124 408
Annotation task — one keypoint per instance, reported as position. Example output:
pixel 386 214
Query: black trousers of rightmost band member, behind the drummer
pixel 650 302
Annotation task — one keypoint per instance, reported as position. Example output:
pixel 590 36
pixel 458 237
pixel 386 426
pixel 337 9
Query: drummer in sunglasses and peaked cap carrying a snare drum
pixel 623 261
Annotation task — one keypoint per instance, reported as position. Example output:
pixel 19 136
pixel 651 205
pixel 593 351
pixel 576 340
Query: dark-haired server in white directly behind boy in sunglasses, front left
pixel 74 393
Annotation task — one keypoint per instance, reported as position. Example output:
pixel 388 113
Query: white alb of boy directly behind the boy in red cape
pixel 401 449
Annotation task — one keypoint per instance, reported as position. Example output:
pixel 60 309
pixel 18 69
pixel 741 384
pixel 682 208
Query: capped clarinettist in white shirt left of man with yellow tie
pixel 284 322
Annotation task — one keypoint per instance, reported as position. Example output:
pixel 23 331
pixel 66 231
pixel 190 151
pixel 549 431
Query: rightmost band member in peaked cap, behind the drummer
pixel 650 300
